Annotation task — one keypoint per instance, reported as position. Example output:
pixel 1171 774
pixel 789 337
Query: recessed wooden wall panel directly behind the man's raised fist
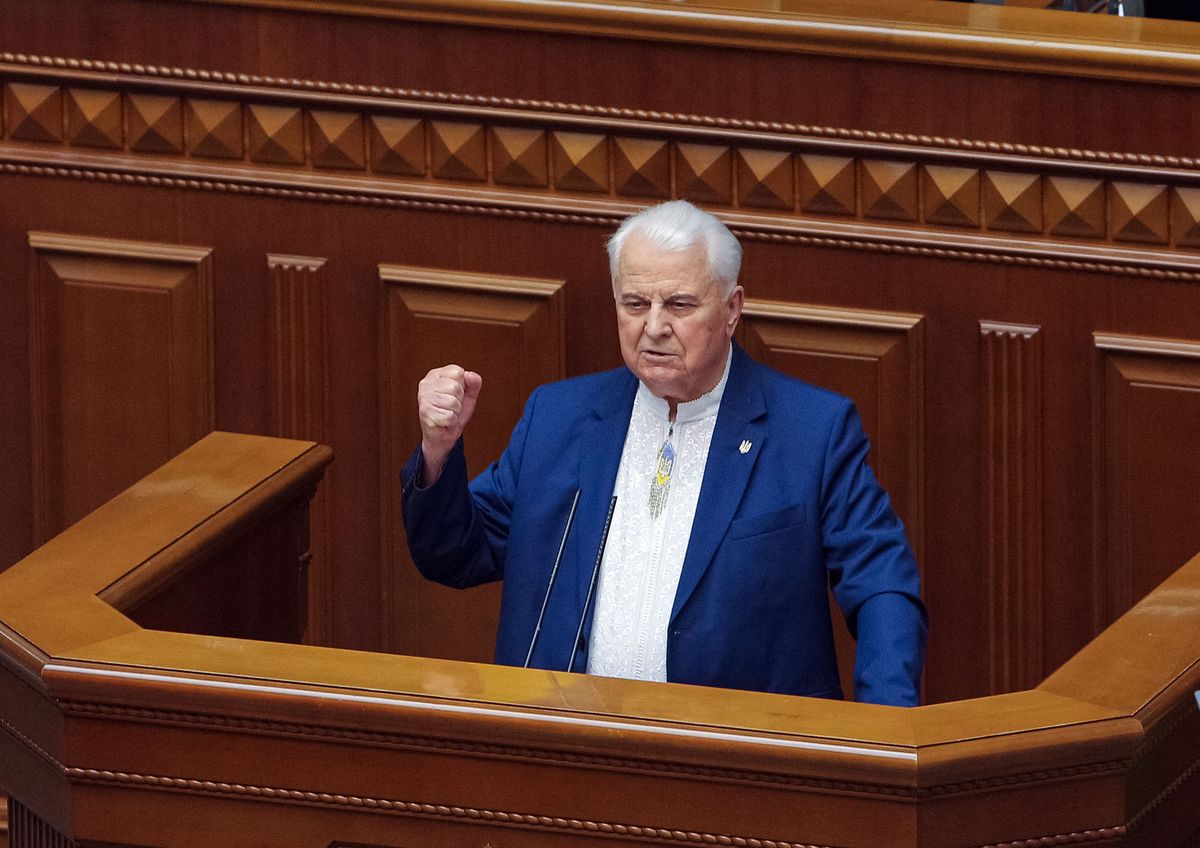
pixel 512 330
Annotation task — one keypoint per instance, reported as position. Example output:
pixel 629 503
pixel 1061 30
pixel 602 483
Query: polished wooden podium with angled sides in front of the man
pixel 152 695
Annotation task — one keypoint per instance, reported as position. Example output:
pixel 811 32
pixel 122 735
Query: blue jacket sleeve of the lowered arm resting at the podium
pixel 872 572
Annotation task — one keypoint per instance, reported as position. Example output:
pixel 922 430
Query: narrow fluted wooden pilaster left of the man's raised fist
pixel 301 405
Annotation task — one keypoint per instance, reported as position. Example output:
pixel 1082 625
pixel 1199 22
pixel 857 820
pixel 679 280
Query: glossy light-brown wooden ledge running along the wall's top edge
pixel 939 34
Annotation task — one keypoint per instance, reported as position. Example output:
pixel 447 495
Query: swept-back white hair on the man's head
pixel 677 226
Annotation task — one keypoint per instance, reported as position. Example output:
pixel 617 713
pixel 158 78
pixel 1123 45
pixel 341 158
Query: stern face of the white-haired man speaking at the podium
pixel 674 321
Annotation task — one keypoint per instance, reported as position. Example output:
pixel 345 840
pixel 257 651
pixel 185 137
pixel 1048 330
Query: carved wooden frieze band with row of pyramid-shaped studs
pixel 351 143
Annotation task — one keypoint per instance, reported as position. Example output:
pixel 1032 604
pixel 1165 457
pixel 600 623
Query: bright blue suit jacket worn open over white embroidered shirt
pixel 775 527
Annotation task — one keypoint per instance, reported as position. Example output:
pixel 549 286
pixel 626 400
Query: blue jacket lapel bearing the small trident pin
pixel 742 419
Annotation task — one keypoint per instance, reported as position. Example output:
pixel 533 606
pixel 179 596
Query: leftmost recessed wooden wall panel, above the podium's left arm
pixel 122 366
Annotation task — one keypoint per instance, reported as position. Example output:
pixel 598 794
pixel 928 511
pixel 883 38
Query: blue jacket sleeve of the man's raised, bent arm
pixel 458 532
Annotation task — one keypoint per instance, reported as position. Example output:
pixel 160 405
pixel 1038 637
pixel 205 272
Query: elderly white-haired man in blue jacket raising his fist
pixel 742 496
